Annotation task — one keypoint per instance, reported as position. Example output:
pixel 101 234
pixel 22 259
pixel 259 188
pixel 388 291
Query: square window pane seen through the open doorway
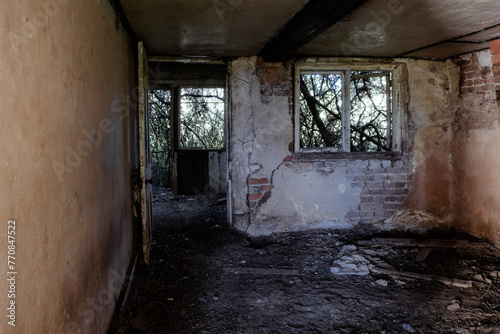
pixel 202 118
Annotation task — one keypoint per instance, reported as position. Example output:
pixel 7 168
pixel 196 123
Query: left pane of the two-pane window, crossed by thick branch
pixel 321 110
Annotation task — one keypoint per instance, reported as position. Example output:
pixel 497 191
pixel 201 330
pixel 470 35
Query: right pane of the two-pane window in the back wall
pixel 370 100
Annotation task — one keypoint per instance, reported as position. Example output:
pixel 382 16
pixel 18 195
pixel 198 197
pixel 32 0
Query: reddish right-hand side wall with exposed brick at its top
pixel 476 162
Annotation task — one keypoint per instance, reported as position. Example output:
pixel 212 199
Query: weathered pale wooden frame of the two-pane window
pixel 313 66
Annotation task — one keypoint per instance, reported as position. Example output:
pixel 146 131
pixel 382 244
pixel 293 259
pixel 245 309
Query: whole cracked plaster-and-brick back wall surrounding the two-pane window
pixel 274 189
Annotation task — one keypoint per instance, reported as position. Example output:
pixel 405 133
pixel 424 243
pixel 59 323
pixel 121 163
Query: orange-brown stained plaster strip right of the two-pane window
pixel 432 92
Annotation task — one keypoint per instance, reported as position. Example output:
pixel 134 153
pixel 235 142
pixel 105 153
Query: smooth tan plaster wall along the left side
pixel 67 152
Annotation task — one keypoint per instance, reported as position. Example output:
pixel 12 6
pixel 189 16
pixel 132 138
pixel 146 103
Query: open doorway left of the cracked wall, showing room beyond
pixel 187 105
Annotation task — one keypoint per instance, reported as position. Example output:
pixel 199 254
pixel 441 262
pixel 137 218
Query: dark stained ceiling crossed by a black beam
pixel 282 29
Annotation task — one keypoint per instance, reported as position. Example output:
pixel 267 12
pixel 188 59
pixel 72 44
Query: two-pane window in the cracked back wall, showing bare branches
pixel 345 110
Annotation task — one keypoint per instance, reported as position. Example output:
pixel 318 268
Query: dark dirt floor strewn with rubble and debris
pixel 205 277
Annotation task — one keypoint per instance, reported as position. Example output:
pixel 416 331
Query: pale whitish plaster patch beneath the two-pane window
pixel 292 205
